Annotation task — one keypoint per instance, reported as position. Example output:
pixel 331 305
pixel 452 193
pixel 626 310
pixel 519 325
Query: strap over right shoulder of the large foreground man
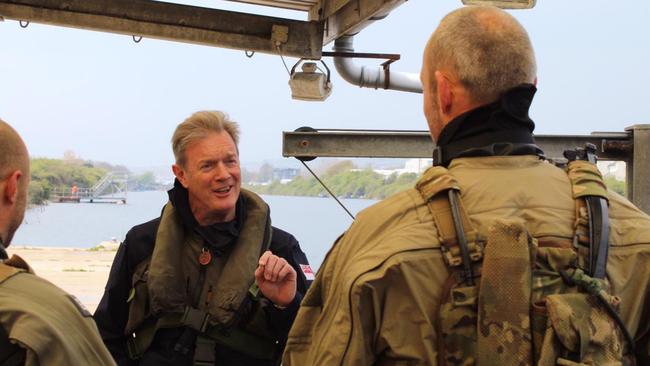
pixel 591 238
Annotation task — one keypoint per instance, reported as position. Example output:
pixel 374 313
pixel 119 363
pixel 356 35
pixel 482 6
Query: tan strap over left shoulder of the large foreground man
pixel 458 239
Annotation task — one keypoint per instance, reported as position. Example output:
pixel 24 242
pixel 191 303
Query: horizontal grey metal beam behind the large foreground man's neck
pixel 418 144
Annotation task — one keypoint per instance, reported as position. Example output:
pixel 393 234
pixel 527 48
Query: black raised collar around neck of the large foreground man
pixel 495 129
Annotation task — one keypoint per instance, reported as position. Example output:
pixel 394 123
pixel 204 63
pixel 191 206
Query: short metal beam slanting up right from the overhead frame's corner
pixel 348 17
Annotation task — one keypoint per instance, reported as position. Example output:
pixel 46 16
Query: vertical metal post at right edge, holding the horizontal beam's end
pixel 640 177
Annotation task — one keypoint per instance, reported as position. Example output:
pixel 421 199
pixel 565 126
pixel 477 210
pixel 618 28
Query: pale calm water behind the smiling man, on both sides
pixel 315 222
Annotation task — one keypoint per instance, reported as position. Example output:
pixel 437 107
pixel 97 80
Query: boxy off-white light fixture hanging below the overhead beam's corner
pixel 310 84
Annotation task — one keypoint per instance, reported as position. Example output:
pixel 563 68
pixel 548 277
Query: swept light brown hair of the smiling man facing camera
pixel 198 126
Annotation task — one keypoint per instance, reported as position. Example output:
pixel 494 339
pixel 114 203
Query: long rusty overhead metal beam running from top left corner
pixel 175 22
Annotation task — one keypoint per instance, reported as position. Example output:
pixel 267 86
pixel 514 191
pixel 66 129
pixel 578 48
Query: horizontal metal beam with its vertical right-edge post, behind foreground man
pixel 631 146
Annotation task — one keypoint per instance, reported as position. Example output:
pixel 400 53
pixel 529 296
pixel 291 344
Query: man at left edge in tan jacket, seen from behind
pixel 40 324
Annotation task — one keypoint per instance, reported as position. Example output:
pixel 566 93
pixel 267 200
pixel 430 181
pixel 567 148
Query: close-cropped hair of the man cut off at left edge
pixel 14 154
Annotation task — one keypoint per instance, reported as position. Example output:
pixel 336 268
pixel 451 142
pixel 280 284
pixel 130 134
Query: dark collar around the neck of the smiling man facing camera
pixel 219 237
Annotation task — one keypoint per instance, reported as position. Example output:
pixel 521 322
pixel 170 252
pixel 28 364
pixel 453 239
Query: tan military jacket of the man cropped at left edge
pixel 50 324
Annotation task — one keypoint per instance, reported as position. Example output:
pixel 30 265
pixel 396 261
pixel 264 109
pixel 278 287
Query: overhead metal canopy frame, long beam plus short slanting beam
pixel 326 21
